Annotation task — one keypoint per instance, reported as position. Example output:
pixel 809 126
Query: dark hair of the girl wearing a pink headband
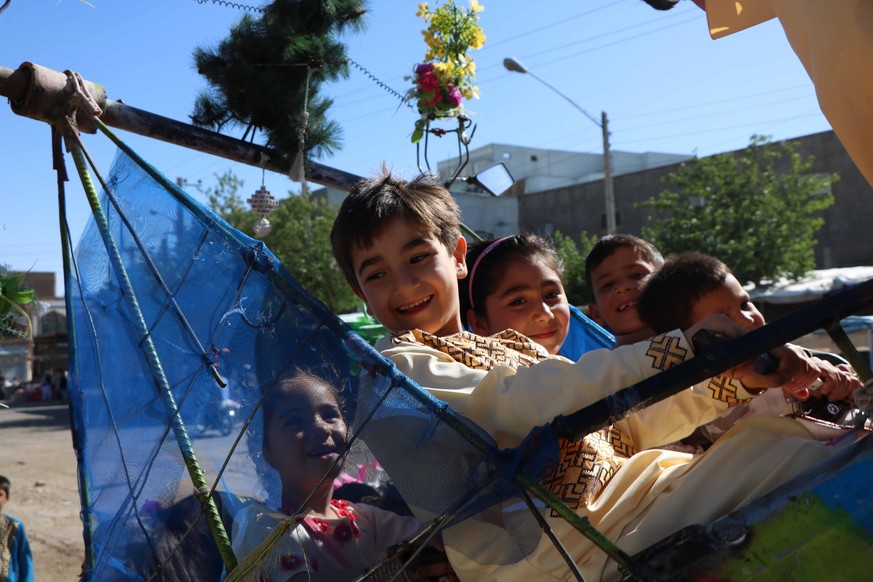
pixel 486 261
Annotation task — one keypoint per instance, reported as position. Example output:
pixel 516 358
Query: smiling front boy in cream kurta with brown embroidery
pixel 400 247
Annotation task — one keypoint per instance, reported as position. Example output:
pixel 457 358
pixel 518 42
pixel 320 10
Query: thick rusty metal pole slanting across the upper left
pixel 39 93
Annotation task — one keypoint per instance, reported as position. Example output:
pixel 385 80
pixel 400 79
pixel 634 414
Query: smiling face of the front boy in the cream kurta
pixel 409 279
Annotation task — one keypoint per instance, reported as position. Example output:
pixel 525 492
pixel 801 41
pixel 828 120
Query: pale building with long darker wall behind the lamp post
pixel 563 191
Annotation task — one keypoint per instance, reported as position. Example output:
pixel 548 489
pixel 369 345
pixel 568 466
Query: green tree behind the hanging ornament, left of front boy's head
pixel 300 238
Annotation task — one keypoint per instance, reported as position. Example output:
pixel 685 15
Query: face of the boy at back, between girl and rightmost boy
pixel 616 283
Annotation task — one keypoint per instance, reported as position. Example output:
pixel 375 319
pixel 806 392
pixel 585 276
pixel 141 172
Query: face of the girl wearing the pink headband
pixel 530 299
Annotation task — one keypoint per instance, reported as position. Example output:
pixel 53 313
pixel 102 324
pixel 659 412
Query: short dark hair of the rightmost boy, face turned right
pixel 669 296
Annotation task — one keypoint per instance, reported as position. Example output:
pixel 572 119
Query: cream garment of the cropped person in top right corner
pixel 834 41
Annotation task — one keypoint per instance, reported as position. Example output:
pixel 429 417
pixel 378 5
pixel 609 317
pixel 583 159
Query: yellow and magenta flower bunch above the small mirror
pixel 447 75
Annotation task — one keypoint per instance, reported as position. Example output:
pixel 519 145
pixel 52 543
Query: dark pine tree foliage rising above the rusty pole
pixel 258 75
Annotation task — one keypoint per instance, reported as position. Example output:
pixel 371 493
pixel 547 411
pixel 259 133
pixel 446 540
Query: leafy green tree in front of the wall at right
pixel 758 210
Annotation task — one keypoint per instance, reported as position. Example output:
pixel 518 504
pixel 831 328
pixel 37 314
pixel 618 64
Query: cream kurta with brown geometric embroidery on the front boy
pixel 654 492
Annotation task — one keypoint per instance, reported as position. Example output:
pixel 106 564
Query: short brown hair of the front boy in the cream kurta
pixel 373 203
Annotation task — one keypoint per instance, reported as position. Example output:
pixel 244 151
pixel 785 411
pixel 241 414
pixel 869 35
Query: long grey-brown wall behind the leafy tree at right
pixel 843 241
